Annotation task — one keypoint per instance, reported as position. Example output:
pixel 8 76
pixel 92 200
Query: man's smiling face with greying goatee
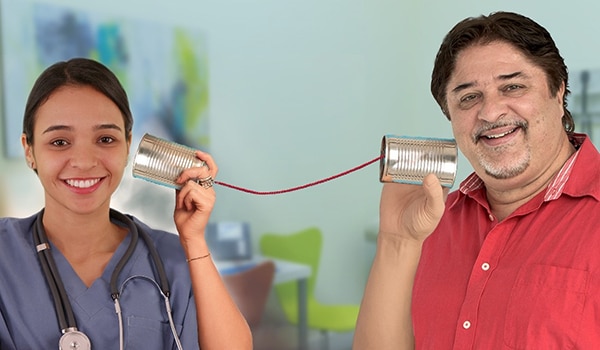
pixel 504 118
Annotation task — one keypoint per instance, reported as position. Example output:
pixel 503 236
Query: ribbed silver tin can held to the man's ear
pixel 410 159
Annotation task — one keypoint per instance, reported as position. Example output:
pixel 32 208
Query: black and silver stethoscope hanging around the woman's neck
pixel 72 338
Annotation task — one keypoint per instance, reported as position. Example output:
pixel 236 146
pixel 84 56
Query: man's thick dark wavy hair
pixel 523 33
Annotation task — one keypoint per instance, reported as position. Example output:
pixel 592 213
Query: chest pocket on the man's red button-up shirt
pixel 545 308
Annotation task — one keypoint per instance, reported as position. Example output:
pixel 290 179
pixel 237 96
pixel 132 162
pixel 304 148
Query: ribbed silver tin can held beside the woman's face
pixel 161 161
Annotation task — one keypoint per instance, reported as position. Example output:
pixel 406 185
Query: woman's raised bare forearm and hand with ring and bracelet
pixel 220 323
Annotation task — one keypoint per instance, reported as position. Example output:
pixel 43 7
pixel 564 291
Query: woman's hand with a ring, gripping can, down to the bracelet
pixel 194 202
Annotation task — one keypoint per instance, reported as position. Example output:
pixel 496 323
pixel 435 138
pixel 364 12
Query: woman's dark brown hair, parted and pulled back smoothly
pixel 74 72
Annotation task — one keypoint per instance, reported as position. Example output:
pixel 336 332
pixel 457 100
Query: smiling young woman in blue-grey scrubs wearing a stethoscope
pixel 76 136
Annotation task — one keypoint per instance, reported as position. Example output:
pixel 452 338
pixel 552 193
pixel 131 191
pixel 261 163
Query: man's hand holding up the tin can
pixel 411 211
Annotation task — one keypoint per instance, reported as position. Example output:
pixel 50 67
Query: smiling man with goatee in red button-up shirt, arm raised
pixel 511 259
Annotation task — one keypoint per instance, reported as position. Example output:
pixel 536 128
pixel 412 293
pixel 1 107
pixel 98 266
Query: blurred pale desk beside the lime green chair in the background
pixel 285 271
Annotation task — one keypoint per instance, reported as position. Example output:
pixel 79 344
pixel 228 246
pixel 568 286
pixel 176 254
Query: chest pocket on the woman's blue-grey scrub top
pixel 144 334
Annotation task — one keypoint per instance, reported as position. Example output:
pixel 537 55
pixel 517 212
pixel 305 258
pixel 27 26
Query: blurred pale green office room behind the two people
pixel 282 94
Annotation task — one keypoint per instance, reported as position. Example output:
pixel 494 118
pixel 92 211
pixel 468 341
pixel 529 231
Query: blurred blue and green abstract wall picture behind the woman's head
pixel 163 68
